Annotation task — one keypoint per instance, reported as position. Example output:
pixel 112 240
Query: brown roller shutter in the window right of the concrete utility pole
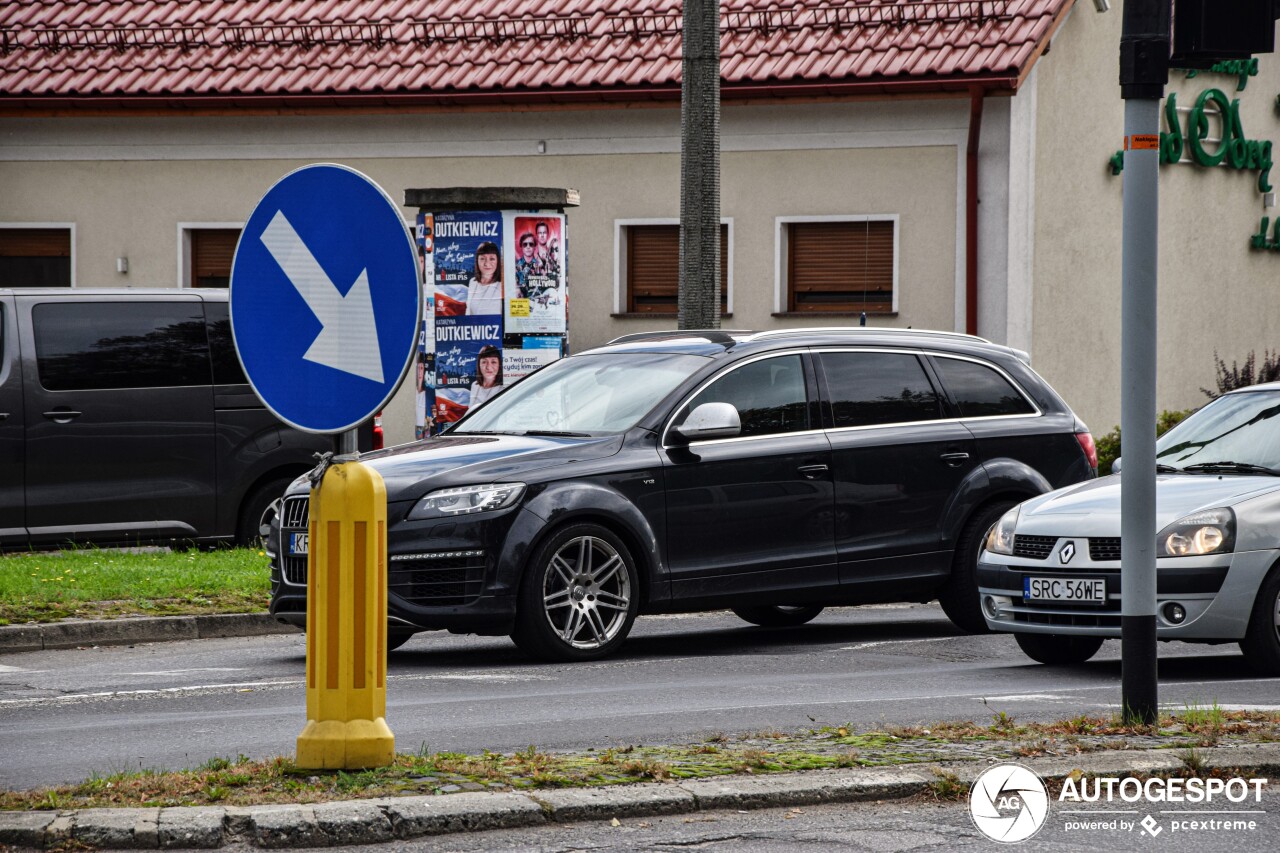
pixel 840 267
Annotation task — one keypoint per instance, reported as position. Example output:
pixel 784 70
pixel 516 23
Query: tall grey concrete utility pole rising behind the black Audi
pixel 700 168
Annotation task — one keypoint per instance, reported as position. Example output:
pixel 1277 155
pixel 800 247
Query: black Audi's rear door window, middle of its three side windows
pixel 870 389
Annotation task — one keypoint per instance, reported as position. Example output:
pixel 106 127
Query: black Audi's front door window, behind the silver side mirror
pixel 770 396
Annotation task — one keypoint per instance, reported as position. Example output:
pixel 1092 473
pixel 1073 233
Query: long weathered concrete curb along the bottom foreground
pixel 406 818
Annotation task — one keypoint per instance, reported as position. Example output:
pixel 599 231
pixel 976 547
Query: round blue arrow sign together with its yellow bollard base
pixel 326 308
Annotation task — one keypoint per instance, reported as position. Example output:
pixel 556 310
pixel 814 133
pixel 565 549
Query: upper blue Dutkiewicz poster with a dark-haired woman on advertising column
pixel 468 258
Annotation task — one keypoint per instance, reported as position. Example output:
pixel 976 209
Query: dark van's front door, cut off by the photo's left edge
pixel 13 527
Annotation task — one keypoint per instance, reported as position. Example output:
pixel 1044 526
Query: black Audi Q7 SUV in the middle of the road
pixel 774 473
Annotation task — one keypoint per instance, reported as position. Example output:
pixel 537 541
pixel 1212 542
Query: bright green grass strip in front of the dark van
pixel 99 583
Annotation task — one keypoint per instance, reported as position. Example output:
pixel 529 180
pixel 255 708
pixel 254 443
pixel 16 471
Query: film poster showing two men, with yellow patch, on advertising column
pixel 536 298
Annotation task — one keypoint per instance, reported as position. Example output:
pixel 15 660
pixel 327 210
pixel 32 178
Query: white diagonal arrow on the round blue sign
pixel 349 335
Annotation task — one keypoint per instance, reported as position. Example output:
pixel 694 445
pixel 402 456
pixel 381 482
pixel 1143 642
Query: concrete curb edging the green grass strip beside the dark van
pixel 124 632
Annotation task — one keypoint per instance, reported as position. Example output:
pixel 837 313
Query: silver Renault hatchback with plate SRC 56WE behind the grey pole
pixel 1050 571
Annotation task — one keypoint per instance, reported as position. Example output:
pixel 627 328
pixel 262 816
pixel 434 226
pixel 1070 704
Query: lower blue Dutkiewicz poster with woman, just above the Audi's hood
pixel 468 364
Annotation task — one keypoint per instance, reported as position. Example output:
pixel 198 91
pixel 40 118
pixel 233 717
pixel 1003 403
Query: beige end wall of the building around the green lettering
pixel 1215 293
